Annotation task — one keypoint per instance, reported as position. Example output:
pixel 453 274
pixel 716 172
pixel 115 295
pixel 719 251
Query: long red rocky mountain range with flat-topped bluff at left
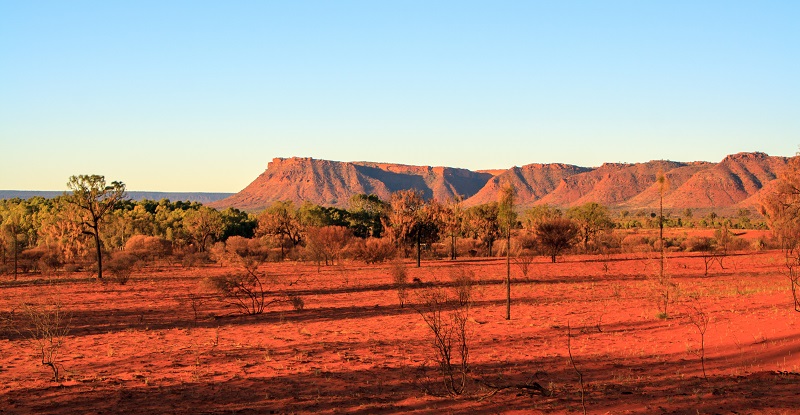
pixel 736 181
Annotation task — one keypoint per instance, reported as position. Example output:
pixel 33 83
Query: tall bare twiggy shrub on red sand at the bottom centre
pixel 447 322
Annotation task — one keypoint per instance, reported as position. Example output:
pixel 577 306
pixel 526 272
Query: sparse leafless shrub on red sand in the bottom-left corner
pixel 46 326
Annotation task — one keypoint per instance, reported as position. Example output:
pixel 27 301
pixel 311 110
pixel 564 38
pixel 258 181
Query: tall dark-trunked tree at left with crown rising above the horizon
pixel 95 199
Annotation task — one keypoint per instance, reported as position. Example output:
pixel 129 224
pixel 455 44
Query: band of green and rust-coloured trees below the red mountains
pixel 50 234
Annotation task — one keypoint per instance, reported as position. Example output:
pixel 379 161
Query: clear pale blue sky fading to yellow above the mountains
pixel 201 95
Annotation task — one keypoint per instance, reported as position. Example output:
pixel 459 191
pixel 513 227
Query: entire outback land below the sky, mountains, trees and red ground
pixel 411 302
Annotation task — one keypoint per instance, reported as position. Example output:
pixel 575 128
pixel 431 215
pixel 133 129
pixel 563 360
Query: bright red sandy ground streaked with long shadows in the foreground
pixel 138 348
